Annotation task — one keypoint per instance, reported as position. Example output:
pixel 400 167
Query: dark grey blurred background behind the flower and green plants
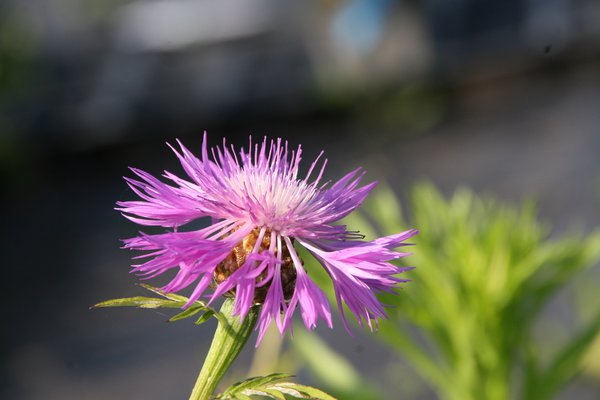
pixel 500 96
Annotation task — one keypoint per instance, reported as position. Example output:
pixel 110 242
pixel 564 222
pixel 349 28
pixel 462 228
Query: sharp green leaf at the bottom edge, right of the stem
pixel 271 387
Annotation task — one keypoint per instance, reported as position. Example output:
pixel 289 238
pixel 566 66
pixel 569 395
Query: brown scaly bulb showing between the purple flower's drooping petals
pixel 238 255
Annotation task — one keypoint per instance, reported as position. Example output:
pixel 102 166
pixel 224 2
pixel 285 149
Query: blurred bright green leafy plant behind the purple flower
pixel 485 271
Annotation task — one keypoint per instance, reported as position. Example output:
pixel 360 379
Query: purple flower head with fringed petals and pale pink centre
pixel 259 208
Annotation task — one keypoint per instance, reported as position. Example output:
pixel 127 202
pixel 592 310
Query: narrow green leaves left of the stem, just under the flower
pixel 168 300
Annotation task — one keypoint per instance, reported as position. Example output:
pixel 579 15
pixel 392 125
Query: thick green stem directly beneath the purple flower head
pixel 229 340
